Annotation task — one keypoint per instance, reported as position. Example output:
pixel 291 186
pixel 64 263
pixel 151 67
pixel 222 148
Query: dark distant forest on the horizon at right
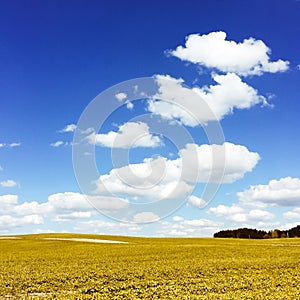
pixel 246 233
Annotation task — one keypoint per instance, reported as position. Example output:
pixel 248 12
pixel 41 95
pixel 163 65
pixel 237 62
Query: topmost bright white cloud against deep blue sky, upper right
pixel 250 57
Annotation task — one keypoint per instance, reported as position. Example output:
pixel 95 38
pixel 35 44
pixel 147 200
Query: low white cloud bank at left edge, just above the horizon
pixel 60 207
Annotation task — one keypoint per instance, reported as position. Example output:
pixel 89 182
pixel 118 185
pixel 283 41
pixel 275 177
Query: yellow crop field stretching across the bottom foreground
pixel 148 268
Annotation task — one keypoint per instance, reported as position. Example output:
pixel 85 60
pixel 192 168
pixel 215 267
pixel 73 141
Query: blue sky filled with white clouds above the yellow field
pixel 56 57
